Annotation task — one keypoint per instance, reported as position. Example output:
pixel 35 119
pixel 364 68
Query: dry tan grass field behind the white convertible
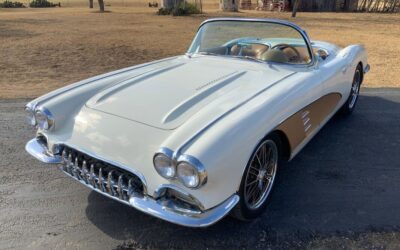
pixel 43 49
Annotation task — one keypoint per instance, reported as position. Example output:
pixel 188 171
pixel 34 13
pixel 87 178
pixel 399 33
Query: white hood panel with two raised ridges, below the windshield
pixel 167 96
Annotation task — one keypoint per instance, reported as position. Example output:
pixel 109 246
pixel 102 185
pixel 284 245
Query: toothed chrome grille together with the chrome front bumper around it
pixel 121 185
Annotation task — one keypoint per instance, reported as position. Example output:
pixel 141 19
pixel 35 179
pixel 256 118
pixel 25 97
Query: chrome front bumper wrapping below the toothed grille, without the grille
pixel 159 207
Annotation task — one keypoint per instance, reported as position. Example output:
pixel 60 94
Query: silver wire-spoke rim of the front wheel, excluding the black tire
pixel 260 175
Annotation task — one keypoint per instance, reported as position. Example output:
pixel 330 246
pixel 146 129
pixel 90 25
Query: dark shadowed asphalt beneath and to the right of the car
pixel 345 180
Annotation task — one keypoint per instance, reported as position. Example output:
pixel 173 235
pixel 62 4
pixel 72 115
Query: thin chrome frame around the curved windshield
pixel 302 32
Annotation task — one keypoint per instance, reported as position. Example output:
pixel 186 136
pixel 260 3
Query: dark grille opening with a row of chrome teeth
pixel 100 175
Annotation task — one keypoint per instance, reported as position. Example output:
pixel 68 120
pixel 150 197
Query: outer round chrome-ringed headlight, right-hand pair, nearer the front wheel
pixel 199 177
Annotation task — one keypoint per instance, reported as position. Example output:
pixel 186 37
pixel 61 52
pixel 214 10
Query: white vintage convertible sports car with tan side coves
pixel 191 138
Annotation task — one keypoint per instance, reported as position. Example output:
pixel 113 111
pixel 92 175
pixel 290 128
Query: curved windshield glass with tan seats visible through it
pixel 261 41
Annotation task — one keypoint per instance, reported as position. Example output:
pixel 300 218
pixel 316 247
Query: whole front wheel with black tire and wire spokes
pixel 258 179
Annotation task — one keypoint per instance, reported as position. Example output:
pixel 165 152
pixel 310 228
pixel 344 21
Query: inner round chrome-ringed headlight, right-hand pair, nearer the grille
pixel 167 170
